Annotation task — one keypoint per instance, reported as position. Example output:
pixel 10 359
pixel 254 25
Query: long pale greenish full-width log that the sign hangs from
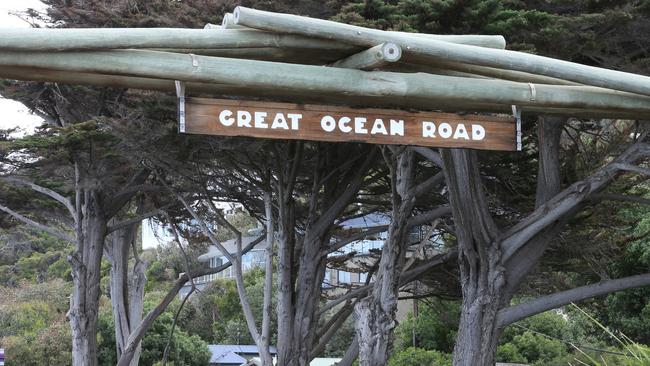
pixel 427 91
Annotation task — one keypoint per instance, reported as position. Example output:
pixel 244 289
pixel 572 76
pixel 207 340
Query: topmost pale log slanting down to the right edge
pixel 436 50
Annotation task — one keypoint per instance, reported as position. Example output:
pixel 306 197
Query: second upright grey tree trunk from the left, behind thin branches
pixel 127 291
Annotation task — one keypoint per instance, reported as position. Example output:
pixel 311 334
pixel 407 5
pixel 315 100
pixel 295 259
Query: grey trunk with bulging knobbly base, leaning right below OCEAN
pixel 376 314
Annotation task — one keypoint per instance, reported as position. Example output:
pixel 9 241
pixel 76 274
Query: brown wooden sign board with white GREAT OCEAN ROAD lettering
pixel 332 123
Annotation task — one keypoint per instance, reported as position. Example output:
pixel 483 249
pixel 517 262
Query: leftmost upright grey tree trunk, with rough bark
pixel 84 303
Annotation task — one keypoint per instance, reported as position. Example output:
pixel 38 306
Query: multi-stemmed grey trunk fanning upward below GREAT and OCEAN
pixel 302 258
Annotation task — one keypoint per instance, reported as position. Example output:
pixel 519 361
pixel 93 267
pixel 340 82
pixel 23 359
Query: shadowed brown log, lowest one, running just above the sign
pixel 272 93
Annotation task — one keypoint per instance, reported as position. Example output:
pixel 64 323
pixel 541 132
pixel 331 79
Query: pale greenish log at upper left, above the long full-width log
pixel 56 39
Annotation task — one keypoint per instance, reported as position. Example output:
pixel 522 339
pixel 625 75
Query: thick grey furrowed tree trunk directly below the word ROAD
pixel 479 258
